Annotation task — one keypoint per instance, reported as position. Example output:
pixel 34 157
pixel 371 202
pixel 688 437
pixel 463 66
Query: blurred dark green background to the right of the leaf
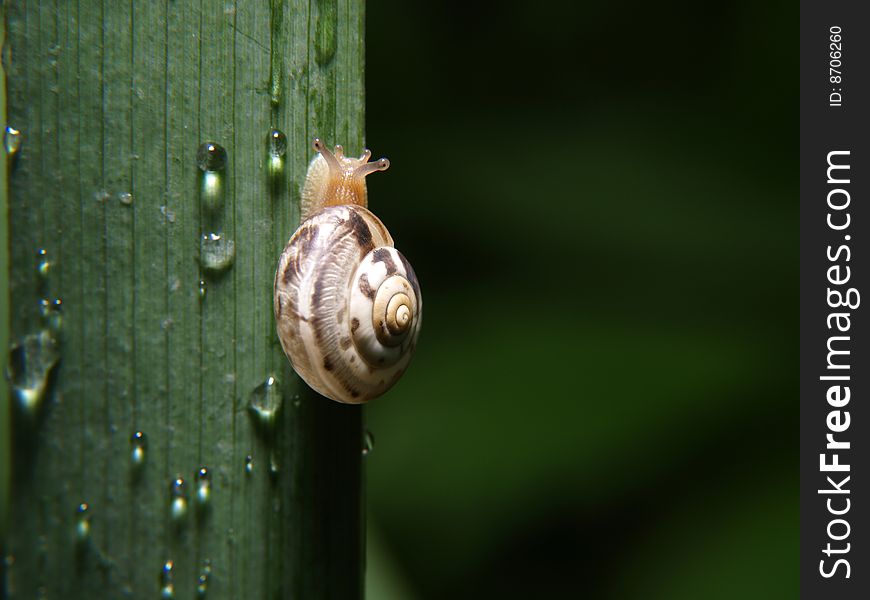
pixel 600 200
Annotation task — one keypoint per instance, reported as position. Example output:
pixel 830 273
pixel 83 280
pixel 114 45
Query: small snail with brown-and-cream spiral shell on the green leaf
pixel 347 303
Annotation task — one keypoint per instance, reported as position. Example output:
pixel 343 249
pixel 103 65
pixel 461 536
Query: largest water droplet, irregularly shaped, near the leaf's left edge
pixel 31 362
